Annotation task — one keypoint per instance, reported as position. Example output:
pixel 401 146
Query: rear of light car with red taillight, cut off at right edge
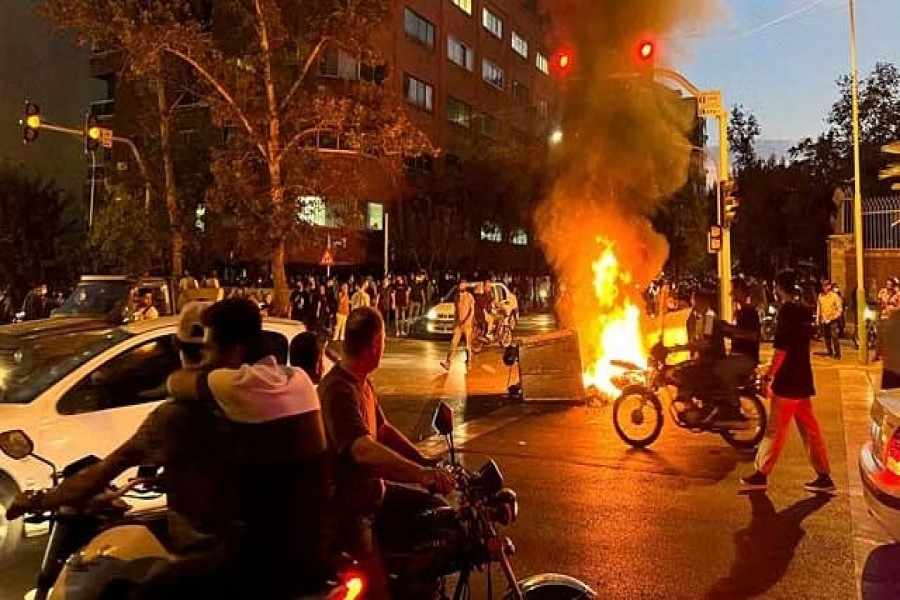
pixel 879 462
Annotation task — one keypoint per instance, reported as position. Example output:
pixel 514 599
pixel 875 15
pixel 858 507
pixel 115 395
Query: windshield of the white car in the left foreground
pixel 30 366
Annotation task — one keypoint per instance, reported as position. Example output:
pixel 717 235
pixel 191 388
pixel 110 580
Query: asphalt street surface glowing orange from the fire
pixel 662 523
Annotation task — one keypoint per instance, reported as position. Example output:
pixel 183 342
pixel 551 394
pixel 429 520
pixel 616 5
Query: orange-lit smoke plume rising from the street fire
pixel 625 149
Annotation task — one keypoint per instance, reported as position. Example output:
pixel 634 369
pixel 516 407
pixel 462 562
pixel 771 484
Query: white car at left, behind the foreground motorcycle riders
pixel 78 392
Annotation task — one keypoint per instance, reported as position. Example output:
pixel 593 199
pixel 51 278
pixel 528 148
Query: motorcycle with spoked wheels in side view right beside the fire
pixel 639 405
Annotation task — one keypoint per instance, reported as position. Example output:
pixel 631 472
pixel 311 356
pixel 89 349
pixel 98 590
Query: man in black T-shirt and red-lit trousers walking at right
pixel 791 390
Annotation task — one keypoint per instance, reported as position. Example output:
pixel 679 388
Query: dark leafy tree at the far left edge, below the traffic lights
pixel 42 231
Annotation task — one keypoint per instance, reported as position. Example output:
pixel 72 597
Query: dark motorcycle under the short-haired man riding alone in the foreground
pixel 459 539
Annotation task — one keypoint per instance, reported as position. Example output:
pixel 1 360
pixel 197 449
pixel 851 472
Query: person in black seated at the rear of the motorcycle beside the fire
pixel 734 370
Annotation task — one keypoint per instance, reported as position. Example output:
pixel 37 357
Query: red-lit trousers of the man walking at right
pixel 783 411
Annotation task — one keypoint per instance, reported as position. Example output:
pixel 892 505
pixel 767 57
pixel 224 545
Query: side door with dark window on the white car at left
pixel 102 404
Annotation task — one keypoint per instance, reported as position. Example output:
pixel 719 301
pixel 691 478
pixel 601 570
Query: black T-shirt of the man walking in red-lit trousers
pixel 792 335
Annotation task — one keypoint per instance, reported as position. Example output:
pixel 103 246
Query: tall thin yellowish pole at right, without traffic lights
pixel 857 197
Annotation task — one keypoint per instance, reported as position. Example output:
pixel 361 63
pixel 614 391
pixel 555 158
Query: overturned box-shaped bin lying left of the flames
pixel 550 368
